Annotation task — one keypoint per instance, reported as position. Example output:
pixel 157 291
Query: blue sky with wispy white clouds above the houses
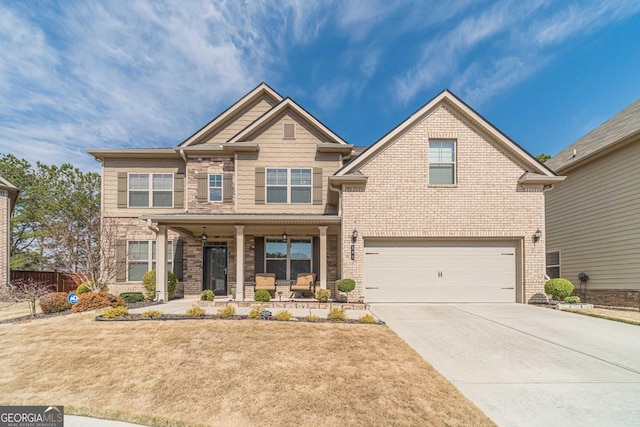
pixel 78 75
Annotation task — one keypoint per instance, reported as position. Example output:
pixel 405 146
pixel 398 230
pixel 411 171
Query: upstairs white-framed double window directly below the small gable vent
pixel 289 185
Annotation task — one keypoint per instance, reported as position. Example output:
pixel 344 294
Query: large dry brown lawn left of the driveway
pixel 227 373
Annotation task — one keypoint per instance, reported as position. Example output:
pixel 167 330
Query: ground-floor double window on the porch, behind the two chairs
pixel 288 258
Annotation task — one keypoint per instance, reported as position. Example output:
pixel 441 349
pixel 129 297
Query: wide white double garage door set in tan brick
pixel 421 271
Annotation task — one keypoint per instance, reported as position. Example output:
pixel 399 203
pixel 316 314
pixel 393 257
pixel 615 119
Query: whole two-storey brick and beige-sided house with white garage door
pixel 448 203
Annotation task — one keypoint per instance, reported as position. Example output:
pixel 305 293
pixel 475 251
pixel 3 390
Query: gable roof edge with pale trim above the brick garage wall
pixel 462 110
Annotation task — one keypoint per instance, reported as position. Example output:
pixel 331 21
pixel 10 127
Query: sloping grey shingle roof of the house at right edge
pixel 618 128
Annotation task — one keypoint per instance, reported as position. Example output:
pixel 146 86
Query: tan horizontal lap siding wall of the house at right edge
pixel 593 220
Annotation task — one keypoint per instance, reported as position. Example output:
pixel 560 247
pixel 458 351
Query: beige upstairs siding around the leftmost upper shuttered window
pixel 114 166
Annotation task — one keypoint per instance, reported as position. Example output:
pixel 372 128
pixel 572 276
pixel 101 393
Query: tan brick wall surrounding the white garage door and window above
pixel 487 201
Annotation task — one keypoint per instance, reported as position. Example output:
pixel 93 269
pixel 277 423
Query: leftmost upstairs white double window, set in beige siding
pixel 151 190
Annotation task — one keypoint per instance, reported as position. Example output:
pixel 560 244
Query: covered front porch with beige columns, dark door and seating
pixel 224 252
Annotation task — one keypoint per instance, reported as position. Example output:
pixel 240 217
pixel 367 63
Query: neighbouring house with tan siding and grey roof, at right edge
pixel 593 219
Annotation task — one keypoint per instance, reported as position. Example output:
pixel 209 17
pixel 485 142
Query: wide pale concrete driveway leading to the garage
pixel 528 366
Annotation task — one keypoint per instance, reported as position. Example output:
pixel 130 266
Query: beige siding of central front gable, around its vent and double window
pixel 275 151
